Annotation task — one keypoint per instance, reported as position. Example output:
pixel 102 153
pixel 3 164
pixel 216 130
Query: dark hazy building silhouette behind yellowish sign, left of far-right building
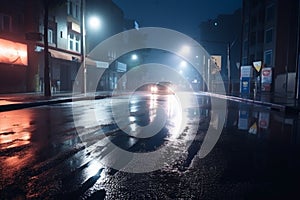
pixel 221 36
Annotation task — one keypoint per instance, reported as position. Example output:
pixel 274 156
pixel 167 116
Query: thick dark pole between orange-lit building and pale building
pixel 47 90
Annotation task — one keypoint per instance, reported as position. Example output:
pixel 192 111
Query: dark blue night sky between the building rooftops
pixel 179 15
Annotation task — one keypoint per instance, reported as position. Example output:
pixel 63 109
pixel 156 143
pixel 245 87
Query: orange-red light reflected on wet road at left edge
pixel 15 131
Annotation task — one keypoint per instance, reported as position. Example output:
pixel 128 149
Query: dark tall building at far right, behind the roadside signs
pixel 271 34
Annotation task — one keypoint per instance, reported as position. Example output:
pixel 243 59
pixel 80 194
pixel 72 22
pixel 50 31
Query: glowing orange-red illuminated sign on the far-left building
pixel 13 52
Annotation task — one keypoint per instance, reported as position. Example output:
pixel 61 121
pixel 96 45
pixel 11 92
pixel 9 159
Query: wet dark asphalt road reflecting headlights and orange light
pixel 65 151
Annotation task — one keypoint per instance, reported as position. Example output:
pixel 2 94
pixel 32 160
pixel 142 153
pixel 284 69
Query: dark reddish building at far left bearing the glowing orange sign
pixel 14 69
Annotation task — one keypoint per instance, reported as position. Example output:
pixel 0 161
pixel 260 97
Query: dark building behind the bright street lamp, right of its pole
pixel 112 22
